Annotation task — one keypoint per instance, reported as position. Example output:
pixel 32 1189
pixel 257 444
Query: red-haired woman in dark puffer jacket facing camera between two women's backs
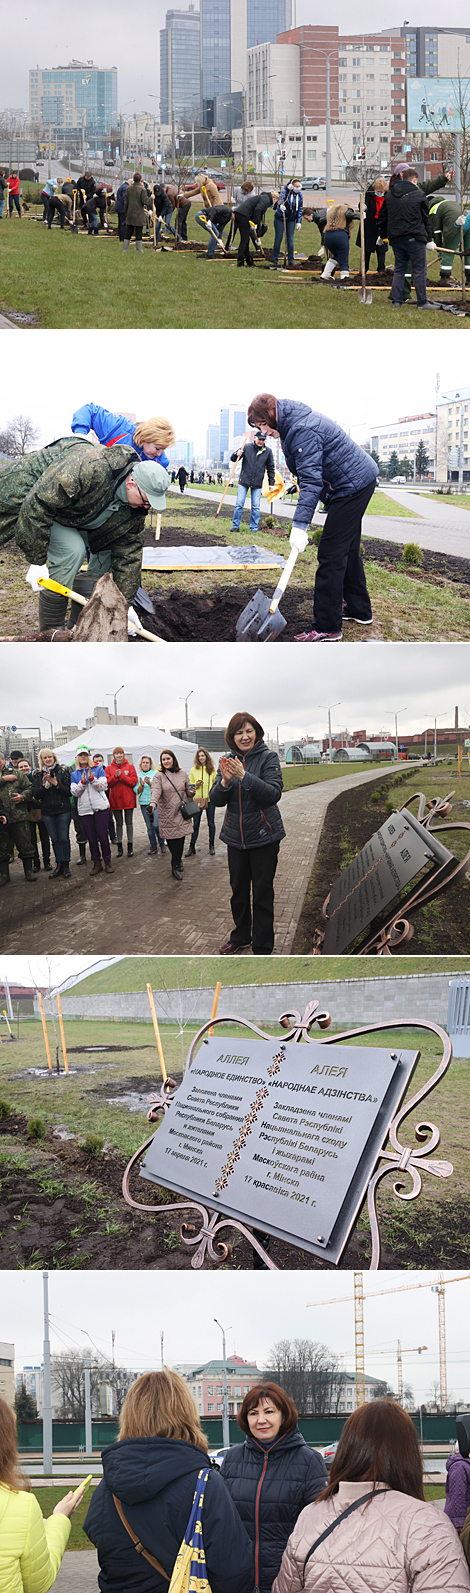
pixel 272 1478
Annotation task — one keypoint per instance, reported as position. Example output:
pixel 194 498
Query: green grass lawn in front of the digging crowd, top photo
pixel 77 281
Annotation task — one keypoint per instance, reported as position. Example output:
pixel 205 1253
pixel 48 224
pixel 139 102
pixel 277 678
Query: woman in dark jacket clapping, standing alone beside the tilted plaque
pixel 249 785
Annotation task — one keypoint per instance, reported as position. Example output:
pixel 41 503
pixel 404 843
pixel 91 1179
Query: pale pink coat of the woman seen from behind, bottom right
pixel 396 1544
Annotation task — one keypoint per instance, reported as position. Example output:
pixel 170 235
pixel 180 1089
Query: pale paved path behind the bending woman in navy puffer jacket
pixel 441 528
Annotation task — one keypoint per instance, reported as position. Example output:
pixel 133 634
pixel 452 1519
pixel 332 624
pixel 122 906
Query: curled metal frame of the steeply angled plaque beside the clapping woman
pixel 398 930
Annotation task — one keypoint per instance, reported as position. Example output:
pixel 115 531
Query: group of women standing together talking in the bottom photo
pixel 272 1521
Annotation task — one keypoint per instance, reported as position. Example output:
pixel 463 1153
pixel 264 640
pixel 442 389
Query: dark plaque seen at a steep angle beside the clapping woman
pixel 385 867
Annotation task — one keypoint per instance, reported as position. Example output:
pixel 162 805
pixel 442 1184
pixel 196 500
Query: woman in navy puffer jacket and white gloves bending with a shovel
pixel 329 466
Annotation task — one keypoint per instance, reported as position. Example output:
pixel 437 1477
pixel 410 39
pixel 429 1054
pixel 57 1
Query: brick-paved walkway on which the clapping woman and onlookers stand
pixel 141 909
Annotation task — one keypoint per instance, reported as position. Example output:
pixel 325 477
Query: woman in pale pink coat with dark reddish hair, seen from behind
pixel 372 1530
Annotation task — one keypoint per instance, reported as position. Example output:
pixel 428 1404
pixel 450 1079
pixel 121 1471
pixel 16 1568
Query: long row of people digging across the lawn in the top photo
pixel 399 211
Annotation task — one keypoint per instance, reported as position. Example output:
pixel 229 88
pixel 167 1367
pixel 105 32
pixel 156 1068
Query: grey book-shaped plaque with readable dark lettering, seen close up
pixel 281 1137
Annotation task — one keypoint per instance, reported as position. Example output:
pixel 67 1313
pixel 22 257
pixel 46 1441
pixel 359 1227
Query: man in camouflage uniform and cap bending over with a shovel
pixel 74 496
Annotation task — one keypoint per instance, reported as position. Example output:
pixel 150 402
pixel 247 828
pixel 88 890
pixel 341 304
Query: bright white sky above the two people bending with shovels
pixel 181 375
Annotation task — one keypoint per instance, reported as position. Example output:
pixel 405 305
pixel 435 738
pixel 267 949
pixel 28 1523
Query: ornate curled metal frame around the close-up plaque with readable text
pixel 407 1161
